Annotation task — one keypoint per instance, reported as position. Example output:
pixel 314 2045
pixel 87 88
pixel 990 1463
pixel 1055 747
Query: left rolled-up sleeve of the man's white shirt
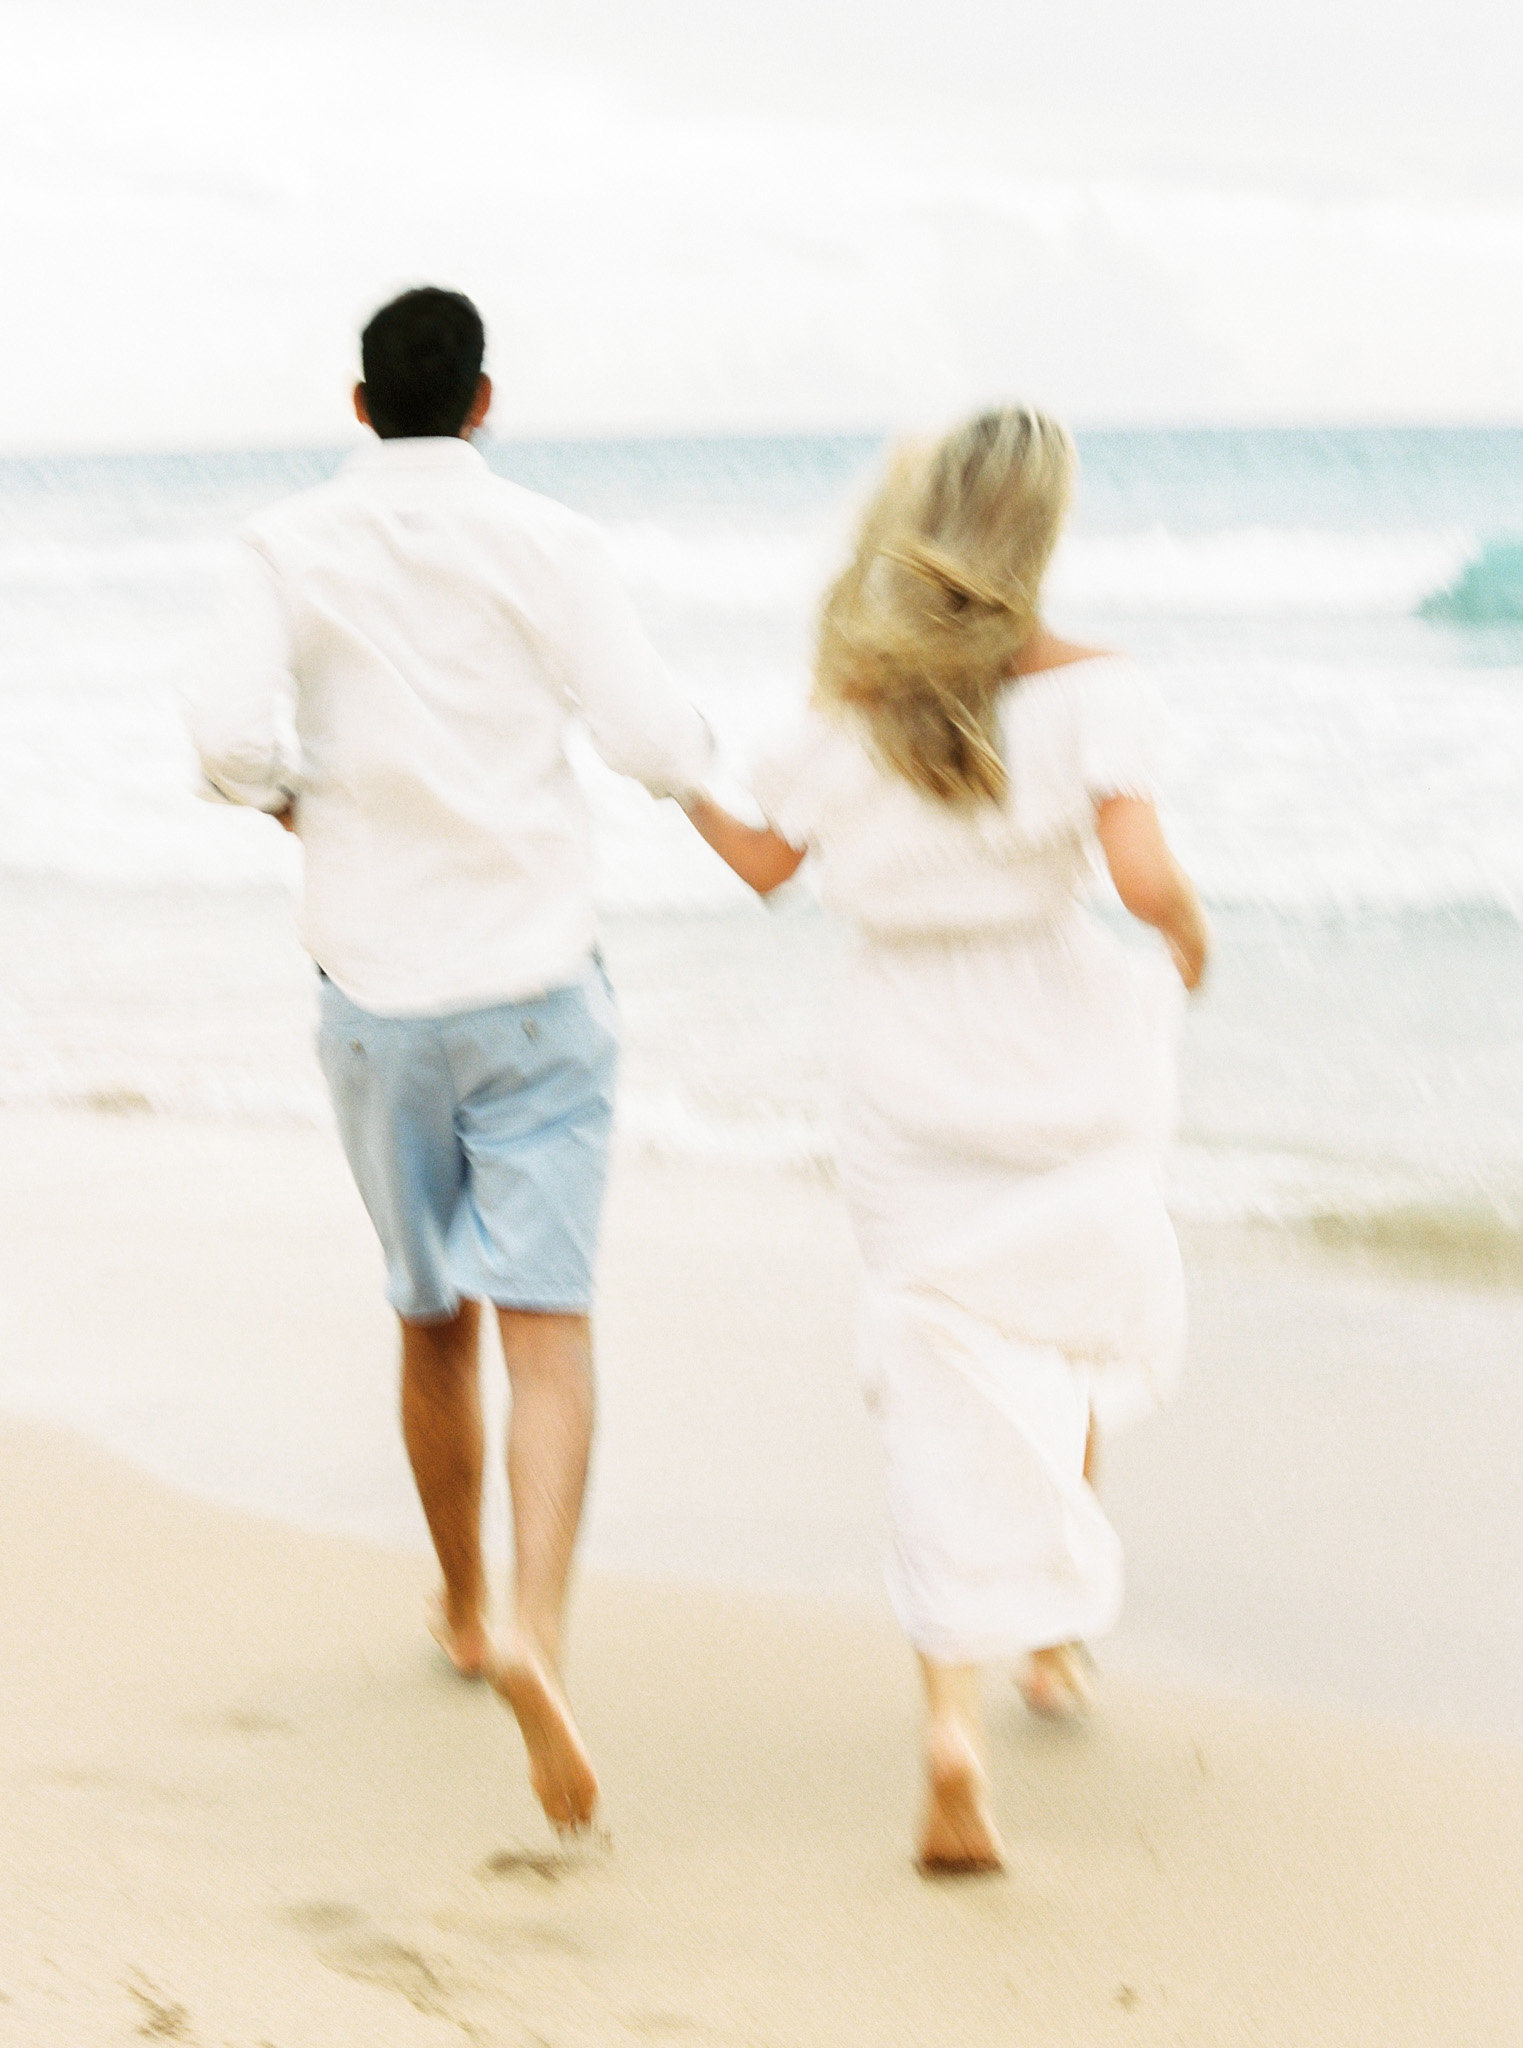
pixel 241 722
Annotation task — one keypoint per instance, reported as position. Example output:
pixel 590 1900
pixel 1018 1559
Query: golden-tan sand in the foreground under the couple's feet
pixel 249 1803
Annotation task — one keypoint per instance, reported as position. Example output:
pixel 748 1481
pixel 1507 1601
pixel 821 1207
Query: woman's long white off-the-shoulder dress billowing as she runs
pixel 1004 1097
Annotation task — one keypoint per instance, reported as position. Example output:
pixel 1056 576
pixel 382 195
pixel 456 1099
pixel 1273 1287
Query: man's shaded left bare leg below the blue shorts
pixel 441 1424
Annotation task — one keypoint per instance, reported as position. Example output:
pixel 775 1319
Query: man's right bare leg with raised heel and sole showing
pixel 550 1443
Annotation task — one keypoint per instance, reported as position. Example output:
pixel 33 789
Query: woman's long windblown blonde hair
pixel 924 630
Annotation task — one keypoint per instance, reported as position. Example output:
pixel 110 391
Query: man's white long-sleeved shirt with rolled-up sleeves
pixel 431 632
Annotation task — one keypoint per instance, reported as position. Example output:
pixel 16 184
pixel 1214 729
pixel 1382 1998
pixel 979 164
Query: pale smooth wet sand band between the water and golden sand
pixel 1328 1514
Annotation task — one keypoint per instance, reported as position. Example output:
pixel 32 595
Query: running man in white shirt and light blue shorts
pixel 427 634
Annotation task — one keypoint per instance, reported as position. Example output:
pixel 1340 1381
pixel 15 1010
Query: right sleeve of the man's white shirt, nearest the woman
pixel 638 720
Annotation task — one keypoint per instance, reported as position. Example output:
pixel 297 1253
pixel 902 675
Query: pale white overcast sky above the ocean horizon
pixel 693 214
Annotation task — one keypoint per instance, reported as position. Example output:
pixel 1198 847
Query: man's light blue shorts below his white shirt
pixel 480 1144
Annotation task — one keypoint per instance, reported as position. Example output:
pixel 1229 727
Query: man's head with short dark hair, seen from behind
pixel 423 364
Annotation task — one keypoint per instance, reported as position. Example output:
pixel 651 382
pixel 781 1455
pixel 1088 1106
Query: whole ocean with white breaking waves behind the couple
pixel 1334 620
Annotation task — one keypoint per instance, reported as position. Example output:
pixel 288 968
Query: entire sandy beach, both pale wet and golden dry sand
pixel 249 1805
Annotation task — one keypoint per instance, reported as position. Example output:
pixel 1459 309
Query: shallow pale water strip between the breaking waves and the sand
pixel 1393 1152
